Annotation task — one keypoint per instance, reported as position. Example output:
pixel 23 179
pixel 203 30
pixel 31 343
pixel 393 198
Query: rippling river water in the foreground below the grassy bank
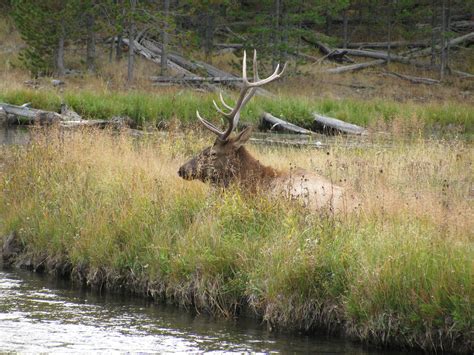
pixel 40 314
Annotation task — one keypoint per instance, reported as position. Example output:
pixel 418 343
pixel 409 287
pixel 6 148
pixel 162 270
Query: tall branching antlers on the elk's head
pixel 233 115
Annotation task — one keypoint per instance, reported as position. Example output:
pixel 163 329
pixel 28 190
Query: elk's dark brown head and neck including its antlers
pixel 227 159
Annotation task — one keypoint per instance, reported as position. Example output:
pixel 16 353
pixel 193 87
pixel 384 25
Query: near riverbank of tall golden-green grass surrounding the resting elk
pixel 112 212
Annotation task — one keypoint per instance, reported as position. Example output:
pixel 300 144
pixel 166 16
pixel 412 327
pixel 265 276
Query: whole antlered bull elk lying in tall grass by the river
pixel 228 161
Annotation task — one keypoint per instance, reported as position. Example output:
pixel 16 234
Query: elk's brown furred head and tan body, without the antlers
pixel 229 161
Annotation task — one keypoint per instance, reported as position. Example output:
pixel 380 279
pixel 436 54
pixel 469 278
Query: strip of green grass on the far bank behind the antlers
pixel 181 106
